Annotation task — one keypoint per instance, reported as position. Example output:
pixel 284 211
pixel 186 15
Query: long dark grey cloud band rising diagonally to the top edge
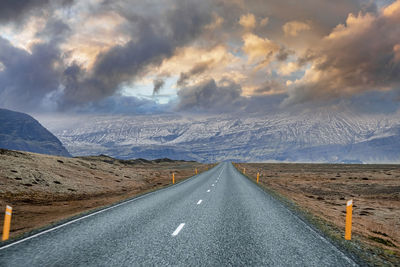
pixel 154 39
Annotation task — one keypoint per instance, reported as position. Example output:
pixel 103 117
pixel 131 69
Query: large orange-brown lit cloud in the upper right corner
pixel 355 57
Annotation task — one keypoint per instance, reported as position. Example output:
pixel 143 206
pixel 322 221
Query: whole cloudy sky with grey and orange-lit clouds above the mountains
pixel 208 56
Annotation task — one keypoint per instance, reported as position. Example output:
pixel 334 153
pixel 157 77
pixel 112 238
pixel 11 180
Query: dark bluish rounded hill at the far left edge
pixel 19 131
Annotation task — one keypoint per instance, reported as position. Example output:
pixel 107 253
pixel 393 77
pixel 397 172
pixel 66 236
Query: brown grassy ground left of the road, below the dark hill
pixel 45 189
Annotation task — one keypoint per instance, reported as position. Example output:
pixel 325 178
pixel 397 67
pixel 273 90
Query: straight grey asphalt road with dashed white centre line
pixel 217 218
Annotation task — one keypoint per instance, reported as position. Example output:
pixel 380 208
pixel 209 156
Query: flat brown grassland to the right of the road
pixel 323 189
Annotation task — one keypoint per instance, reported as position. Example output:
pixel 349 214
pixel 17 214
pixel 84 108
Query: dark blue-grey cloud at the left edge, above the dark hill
pixel 28 77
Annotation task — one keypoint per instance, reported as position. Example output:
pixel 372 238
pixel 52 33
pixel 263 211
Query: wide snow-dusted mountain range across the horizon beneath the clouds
pixel 305 137
